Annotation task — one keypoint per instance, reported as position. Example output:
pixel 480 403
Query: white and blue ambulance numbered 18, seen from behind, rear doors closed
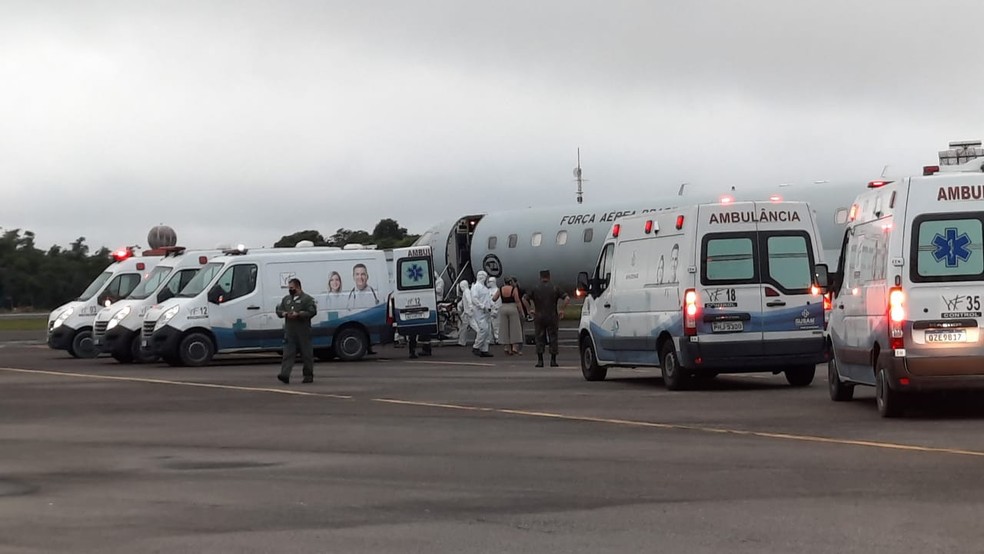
pixel 730 287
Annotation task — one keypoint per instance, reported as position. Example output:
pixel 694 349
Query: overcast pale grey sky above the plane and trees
pixel 244 121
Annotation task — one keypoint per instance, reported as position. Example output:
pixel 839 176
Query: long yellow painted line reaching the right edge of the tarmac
pixel 685 427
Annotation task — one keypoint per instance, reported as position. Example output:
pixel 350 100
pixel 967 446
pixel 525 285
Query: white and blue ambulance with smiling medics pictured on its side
pixel 230 305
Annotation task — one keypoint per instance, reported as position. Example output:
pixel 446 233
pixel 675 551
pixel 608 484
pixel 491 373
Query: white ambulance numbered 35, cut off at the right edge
pixel 907 305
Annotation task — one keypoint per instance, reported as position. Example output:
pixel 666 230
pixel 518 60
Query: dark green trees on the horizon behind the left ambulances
pixel 32 278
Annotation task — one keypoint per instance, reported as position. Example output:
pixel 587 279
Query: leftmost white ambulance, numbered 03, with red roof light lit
pixel 70 325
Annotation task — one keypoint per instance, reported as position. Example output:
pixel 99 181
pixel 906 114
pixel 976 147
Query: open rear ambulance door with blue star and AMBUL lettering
pixel 413 305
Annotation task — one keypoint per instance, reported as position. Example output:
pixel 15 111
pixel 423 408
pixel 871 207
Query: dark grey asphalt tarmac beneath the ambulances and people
pixel 462 454
